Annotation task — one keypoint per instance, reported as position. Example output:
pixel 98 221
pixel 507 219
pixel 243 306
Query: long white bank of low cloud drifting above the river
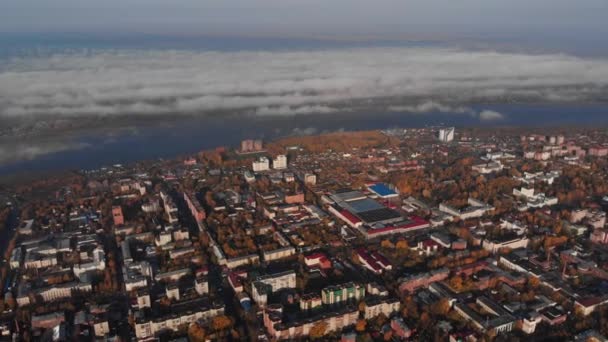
pixel 289 83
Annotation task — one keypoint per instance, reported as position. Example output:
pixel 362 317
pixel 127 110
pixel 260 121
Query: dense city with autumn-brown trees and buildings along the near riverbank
pixel 431 234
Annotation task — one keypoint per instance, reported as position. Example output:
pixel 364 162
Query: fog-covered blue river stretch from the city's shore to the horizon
pixel 71 102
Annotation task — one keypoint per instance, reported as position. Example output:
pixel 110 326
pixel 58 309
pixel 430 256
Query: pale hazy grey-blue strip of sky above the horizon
pixel 310 17
